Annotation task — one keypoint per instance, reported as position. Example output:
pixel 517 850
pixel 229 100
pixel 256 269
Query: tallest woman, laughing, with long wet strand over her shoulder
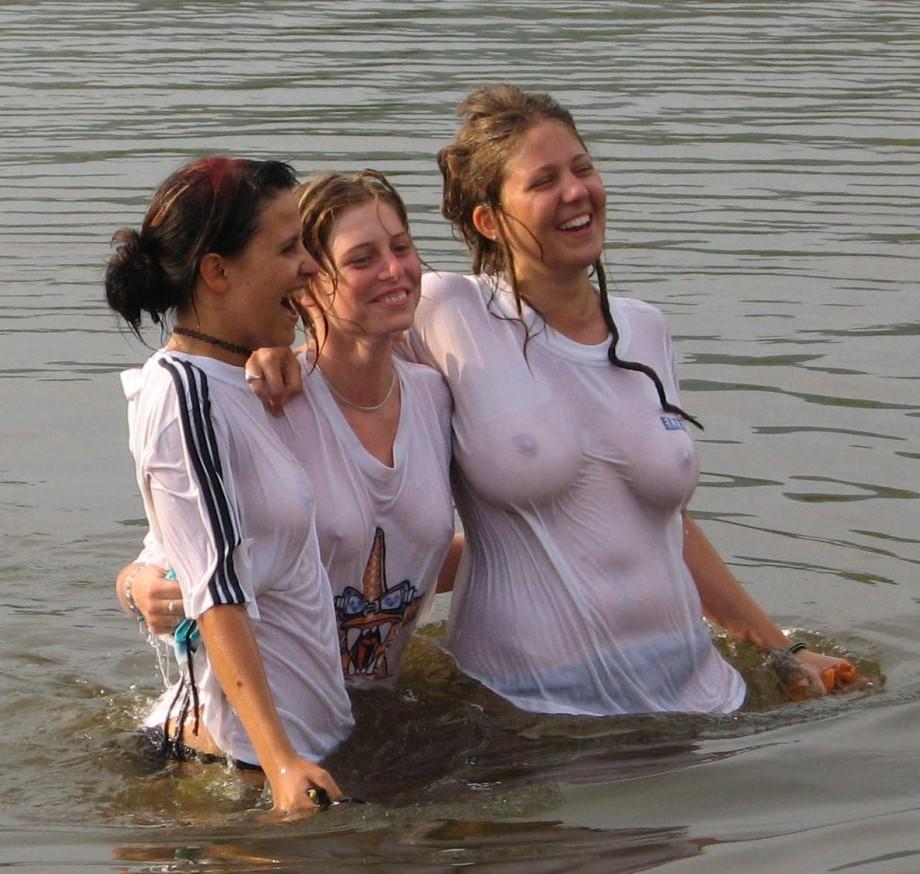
pixel 585 581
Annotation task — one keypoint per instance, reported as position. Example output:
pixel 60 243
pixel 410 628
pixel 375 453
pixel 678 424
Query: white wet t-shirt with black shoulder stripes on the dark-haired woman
pixel 234 511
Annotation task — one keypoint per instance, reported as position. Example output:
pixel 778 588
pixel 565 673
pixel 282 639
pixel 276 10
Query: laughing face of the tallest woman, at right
pixel 553 204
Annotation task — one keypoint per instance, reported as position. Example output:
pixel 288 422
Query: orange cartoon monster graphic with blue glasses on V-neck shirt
pixel 369 621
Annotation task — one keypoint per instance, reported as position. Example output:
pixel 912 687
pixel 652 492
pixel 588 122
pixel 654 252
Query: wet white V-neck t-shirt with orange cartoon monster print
pixel 383 531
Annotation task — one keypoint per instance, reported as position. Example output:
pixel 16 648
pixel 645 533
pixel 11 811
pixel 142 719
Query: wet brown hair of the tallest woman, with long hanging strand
pixel 473 168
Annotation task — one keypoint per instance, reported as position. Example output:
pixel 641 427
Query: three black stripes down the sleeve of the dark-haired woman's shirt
pixel 191 386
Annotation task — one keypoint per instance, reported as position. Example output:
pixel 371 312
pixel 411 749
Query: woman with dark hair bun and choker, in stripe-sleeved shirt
pixel 220 254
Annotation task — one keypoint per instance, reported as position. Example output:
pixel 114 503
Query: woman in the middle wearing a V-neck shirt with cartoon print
pixel 371 431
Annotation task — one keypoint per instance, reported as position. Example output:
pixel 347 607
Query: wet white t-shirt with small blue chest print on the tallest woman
pixel 573 595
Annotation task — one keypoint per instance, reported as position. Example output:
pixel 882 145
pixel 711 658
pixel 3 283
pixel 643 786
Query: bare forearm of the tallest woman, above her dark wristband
pixel 724 600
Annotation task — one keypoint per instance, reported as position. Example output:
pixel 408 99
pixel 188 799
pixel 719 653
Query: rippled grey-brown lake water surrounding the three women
pixel 761 160
